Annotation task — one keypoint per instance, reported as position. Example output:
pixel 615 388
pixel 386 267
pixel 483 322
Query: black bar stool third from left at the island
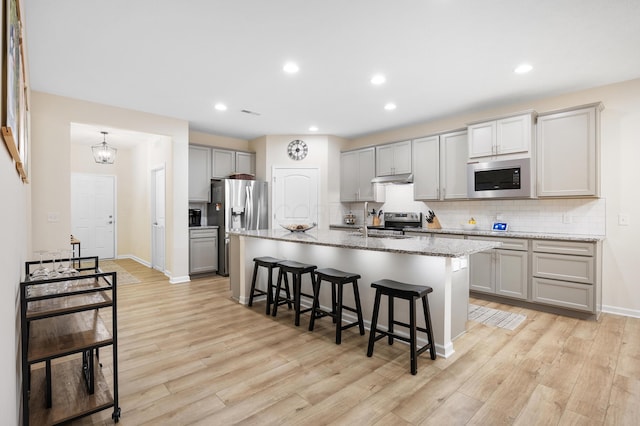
pixel 337 279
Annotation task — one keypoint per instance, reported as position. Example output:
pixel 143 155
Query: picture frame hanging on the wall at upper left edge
pixel 15 92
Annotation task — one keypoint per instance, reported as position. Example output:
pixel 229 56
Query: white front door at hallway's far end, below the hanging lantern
pixel 93 213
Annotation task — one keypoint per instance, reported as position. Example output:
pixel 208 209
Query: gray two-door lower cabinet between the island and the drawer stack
pixel 503 271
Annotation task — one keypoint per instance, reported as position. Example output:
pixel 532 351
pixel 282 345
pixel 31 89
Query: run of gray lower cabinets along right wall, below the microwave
pixel 559 273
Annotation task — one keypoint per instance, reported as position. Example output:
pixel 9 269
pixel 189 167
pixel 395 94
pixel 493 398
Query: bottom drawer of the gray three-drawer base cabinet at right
pixel 564 294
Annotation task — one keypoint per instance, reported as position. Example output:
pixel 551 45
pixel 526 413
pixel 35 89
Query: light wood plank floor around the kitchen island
pixel 188 354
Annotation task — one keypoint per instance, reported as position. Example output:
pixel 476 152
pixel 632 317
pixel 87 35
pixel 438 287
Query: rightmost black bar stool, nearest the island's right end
pixel 411 293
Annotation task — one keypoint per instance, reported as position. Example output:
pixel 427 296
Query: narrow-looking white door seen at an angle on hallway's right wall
pixel 158 219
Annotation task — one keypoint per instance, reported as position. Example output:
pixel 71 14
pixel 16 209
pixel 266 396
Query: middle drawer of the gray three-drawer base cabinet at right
pixel 563 267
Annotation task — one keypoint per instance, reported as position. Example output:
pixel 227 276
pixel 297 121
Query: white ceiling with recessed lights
pixel 440 57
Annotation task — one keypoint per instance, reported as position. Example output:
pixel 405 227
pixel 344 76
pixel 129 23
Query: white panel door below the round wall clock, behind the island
pixel 295 196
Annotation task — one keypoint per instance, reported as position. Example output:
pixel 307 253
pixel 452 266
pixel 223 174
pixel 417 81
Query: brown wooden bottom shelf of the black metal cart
pixel 69 393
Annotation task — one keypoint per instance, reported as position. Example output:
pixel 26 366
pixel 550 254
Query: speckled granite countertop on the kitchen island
pixel 425 246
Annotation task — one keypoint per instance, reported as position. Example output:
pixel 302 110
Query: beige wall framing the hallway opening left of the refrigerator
pixel 51 165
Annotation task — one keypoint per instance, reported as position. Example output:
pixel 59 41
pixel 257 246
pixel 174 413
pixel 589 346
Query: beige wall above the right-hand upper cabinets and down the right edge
pixel 620 174
